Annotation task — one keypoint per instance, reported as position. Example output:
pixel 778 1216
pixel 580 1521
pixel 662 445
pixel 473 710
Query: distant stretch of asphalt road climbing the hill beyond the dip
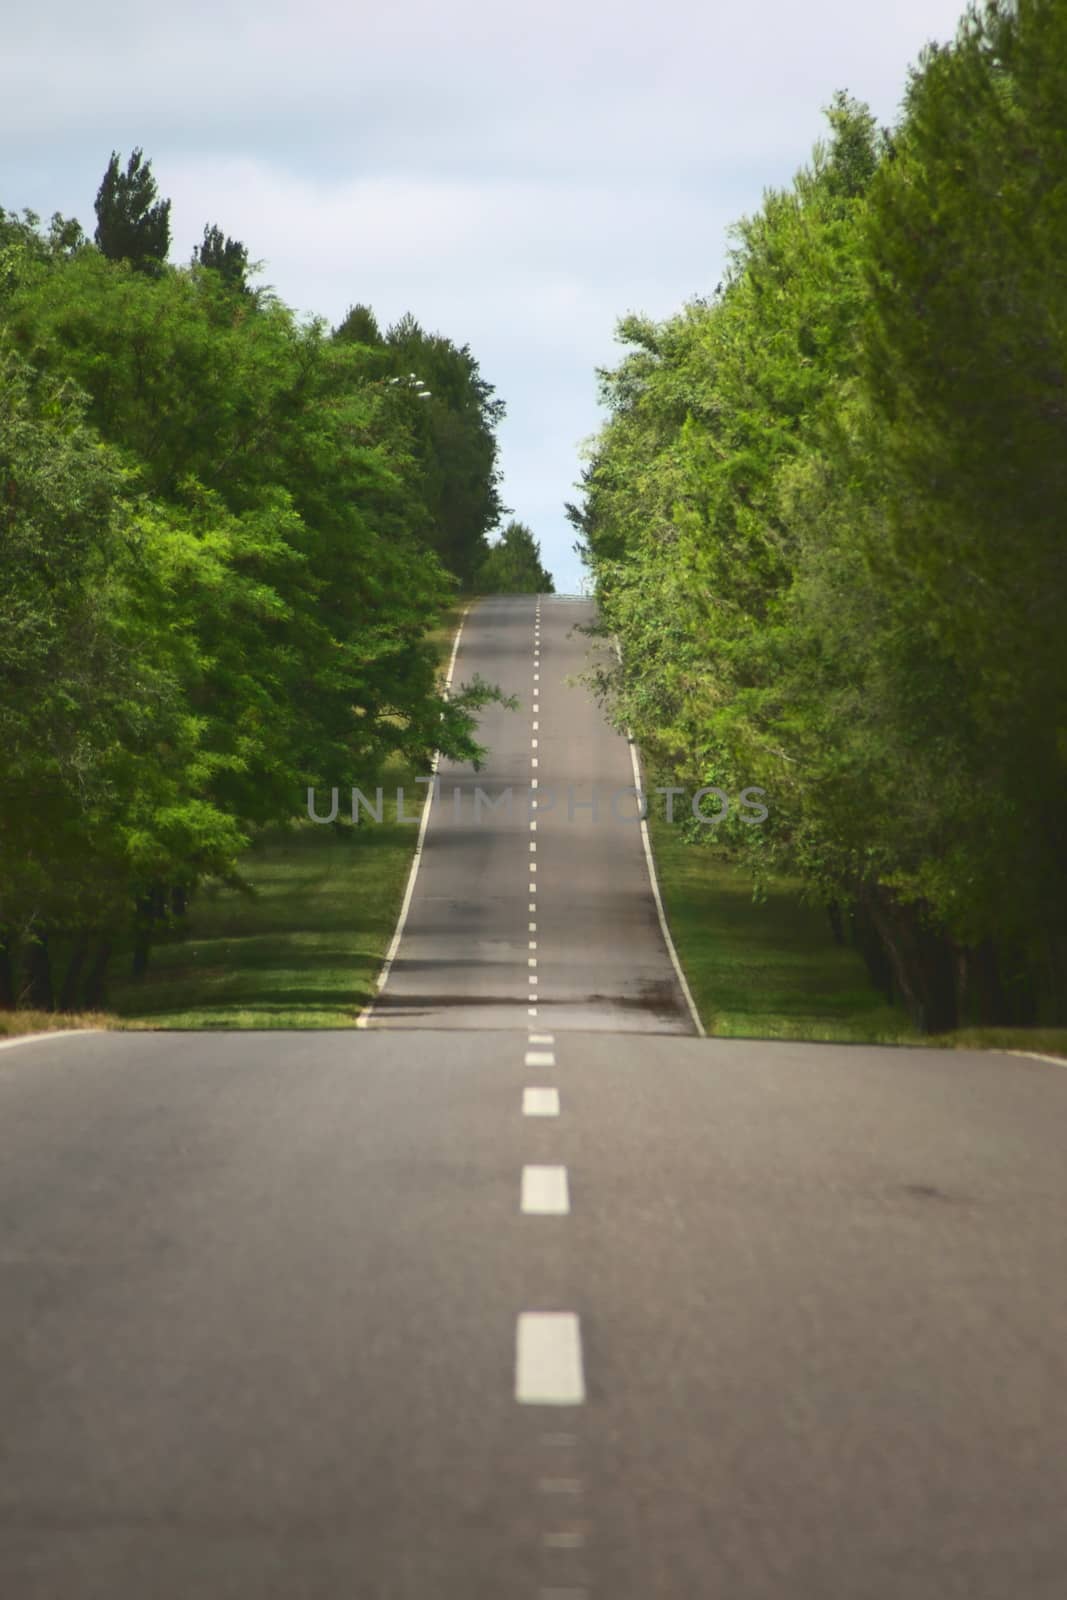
pixel 601 956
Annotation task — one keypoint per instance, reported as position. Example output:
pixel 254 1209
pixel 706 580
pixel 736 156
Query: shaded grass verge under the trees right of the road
pixel 773 970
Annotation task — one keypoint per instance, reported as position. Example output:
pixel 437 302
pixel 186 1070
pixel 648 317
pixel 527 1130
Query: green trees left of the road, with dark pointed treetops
pixel 225 537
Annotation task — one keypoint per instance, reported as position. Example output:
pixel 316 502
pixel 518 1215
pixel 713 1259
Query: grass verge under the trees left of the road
pixel 302 951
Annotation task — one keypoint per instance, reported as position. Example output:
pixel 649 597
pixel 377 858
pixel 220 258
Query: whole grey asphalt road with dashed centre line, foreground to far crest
pixel 793 1318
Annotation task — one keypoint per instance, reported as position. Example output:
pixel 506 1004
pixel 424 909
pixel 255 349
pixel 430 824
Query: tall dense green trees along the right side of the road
pixel 826 522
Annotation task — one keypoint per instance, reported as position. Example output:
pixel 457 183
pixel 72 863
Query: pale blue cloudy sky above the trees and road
pixel 518 177
